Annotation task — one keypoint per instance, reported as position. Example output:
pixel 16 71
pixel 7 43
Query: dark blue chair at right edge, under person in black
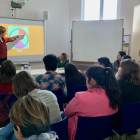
pixel 130 118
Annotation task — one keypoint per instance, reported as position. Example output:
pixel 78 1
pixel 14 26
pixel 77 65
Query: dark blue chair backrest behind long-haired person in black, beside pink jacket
pixel 74 89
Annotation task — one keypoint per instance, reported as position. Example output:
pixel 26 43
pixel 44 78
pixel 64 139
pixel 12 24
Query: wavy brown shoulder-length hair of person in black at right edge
pixel 130 71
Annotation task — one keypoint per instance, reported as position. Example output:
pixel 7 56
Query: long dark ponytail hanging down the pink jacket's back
pixel 112 89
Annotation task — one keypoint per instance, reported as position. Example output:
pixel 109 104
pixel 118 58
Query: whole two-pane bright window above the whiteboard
pixel 99 9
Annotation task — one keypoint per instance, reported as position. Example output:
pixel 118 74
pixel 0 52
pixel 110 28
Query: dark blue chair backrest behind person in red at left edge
pixel 11 100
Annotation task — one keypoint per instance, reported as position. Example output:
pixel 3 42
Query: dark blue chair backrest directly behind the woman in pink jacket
pixel 94 128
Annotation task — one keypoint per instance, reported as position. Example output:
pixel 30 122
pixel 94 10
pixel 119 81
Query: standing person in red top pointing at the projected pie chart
pixel 3 41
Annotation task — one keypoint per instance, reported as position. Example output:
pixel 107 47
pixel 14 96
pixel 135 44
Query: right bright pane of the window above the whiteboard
pixel 110 9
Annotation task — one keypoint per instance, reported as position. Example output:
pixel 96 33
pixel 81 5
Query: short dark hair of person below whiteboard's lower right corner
pixel 106 62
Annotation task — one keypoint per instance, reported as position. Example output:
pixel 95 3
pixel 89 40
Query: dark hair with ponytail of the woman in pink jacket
pixel 105 79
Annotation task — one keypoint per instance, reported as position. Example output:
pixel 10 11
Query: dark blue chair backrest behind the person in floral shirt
pixel 59 95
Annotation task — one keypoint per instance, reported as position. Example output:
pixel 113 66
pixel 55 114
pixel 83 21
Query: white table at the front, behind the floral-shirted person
pixel 43 71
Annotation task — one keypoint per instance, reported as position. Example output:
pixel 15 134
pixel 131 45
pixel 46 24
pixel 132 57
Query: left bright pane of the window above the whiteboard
pixel 92 9
